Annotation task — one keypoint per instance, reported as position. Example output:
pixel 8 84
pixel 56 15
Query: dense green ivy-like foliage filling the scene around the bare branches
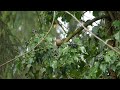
pixel 84 58
